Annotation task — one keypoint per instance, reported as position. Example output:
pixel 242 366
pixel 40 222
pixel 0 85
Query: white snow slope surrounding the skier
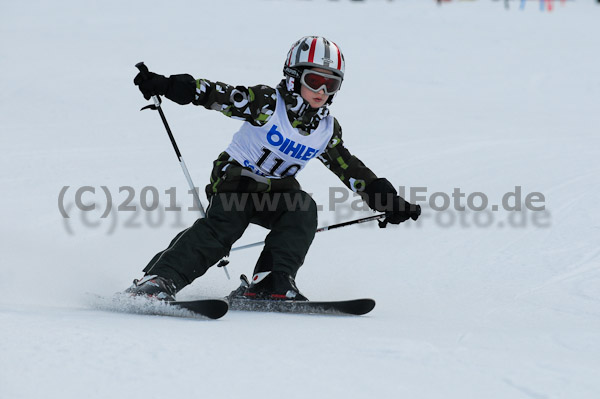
pixel 465 95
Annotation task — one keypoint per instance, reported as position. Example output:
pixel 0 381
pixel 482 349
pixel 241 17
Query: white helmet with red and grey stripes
pixel 314 52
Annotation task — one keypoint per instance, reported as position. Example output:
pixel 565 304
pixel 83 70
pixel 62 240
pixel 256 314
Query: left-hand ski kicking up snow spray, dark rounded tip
pixel 206 308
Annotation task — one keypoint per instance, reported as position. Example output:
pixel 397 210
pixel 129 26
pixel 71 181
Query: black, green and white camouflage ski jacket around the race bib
pixel 255 105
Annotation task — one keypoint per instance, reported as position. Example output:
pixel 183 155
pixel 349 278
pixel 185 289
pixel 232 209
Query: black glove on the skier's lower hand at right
pixel 382 196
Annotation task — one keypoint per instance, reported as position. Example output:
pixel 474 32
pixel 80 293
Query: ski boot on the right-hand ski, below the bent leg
pixel 273 285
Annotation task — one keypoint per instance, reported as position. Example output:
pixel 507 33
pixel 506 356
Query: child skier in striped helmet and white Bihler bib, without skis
pixel 284 128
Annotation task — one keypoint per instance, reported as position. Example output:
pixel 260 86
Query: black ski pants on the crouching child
pixel 291 218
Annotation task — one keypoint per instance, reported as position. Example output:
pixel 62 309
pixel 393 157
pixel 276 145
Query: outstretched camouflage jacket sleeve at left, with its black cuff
pixel 253 104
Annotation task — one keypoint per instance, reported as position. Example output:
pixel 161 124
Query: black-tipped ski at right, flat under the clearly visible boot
pixel 355 307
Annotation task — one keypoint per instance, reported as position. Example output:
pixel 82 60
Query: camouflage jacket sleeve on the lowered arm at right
pixel 350 170
